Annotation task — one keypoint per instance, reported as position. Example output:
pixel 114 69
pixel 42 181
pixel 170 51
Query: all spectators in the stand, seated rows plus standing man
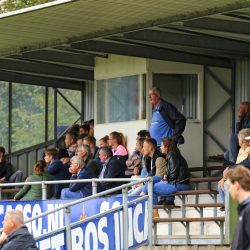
pixel 156 154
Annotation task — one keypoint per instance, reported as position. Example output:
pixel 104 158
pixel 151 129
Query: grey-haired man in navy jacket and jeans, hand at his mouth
pixel 79 171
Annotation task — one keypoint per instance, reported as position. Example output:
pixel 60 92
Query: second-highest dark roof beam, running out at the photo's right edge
pixel 197 41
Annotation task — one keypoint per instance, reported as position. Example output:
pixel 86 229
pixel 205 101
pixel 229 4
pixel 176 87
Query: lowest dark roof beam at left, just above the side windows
pixel 33 80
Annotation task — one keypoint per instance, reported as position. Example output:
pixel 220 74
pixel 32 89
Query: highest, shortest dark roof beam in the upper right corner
pixel 219 25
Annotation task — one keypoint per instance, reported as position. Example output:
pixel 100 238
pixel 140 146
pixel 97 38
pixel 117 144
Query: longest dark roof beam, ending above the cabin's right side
pixel 152 53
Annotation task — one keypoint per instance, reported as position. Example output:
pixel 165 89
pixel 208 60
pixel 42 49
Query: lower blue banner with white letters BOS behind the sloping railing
pixel 104 232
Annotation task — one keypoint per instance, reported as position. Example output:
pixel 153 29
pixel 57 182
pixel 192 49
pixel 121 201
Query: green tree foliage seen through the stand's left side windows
pixel 28 114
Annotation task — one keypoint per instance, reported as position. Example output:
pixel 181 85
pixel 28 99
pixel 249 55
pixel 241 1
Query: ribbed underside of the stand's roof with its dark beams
pixel 59 41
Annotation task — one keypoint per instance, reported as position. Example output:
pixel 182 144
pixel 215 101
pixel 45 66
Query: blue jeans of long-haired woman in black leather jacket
pixel 163 188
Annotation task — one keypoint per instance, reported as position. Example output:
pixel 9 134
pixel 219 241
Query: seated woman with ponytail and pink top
pixel 117 142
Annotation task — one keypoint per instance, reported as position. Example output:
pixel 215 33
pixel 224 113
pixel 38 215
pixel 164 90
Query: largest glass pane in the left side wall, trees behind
pixel 28 116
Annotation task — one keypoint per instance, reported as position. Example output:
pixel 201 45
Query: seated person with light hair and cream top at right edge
pixel 243 154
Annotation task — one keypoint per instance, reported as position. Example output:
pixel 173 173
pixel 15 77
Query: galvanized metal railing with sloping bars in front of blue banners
pixel 125 205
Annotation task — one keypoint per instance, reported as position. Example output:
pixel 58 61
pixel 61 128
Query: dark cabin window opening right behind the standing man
pixel 181 90
